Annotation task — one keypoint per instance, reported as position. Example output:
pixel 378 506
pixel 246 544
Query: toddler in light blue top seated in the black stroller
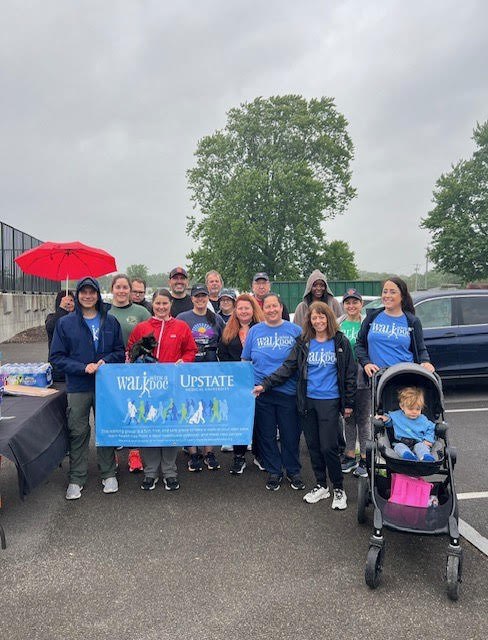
pixel 411 428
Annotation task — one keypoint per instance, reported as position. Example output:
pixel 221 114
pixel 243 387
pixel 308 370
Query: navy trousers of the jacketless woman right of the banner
pixel 276 409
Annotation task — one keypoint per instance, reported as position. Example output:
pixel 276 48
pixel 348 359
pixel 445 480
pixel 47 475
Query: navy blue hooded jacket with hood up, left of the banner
pixel 73 347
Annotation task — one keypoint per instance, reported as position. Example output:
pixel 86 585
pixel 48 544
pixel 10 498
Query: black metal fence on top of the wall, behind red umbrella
pixel 12 243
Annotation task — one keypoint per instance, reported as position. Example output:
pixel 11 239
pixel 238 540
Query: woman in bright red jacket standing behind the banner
pixel 175 343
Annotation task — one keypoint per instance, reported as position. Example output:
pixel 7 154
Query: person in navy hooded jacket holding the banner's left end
pixel 82 342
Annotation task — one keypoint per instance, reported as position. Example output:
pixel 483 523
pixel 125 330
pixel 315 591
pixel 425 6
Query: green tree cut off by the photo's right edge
pixel 459 221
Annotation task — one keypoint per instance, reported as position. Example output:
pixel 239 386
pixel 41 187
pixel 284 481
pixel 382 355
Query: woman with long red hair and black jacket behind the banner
pixel 246 314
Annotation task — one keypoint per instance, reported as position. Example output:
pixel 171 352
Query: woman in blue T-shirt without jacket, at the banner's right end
pixel 267 346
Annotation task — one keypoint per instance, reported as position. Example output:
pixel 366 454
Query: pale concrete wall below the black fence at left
pixel 21 311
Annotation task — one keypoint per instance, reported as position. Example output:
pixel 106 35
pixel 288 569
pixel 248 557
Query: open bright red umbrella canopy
pixel 66 260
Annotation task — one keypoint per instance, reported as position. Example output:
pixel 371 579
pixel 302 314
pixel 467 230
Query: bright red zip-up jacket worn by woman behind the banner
pixel 175 341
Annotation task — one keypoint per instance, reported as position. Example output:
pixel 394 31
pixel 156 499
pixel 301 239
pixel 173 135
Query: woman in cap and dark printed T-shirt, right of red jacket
pixel 206 327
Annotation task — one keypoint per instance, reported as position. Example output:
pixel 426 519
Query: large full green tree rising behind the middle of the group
pixel 264 185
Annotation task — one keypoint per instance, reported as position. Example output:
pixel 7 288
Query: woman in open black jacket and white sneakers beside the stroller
pixel 326 388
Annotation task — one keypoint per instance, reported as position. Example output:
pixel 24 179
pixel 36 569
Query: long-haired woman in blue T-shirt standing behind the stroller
pixel 392 334
